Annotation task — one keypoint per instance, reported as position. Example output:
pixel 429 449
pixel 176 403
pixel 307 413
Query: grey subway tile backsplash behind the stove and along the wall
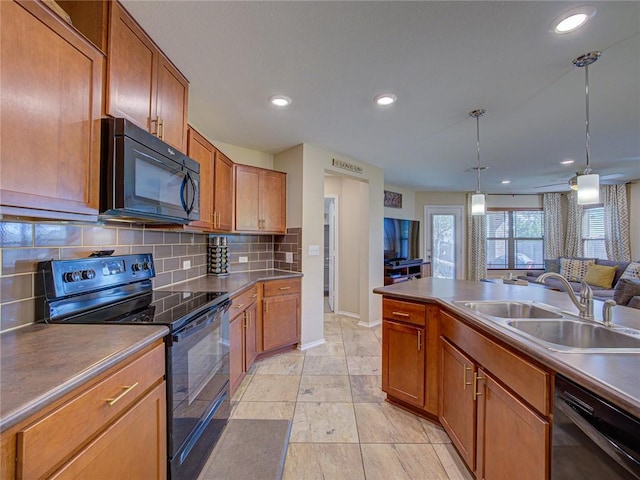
pixel 24 244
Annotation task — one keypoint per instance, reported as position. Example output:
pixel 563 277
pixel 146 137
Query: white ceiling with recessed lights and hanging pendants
pixel 442 60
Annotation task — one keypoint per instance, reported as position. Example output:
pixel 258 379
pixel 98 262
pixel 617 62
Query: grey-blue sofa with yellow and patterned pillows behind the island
pixel 619 281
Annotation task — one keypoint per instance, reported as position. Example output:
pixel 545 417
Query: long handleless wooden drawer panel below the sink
pixel 526 379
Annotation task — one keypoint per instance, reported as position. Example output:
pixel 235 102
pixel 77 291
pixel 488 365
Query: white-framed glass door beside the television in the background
pixel 444 240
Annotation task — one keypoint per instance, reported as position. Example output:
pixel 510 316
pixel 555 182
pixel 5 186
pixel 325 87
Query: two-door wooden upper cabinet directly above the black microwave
pixel 142 85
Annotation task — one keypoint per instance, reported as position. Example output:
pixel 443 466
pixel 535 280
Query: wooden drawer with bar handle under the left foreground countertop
pixel 44 444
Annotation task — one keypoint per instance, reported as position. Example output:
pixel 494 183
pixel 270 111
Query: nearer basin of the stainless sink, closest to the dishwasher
pixel 576 334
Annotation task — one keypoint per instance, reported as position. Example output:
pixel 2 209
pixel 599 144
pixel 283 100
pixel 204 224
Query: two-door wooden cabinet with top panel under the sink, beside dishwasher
pixel 489 413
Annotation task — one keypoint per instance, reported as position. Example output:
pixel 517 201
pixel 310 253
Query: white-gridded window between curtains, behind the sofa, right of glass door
pixel 515 239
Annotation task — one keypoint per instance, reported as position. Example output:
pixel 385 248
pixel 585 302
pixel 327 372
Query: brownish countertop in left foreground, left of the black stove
pixel 41 363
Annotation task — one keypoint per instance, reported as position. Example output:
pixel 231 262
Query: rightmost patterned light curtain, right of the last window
pixel 616 222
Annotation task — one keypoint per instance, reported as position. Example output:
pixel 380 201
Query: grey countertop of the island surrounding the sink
pixel 613 376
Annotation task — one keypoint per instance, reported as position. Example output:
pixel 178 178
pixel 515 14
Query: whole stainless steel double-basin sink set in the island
pixel 555 329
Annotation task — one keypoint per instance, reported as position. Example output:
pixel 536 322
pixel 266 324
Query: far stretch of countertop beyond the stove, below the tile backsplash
pixel 232 283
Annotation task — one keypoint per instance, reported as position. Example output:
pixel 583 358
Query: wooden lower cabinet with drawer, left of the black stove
pixel 114 426
